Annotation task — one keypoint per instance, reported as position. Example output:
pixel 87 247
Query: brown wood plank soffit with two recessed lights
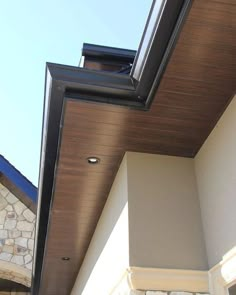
pixel 197 86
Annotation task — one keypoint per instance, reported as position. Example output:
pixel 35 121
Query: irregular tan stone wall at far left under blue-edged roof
pixel 17 225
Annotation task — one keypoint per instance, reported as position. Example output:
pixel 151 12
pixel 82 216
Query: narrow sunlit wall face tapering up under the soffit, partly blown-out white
pixel 107 256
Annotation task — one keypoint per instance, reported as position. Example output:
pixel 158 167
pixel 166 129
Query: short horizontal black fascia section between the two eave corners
pixel 97 86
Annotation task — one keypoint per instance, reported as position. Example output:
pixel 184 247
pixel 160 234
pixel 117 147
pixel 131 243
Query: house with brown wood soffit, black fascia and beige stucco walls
pixel 137 174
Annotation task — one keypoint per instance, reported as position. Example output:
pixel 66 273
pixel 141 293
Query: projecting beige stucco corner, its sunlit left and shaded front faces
pixel 151 219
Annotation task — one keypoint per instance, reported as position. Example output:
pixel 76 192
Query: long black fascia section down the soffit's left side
pixel 53 110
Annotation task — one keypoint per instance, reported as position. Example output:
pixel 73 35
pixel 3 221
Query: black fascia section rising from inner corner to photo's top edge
pixel 160 47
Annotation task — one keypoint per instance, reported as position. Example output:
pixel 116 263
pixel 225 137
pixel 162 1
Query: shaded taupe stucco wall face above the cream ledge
pixel 164 213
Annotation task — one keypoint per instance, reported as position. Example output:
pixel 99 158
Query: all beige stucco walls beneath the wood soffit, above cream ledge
pixel 175 206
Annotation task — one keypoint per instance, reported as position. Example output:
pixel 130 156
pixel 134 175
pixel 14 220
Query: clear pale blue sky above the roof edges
pixel 34 32
